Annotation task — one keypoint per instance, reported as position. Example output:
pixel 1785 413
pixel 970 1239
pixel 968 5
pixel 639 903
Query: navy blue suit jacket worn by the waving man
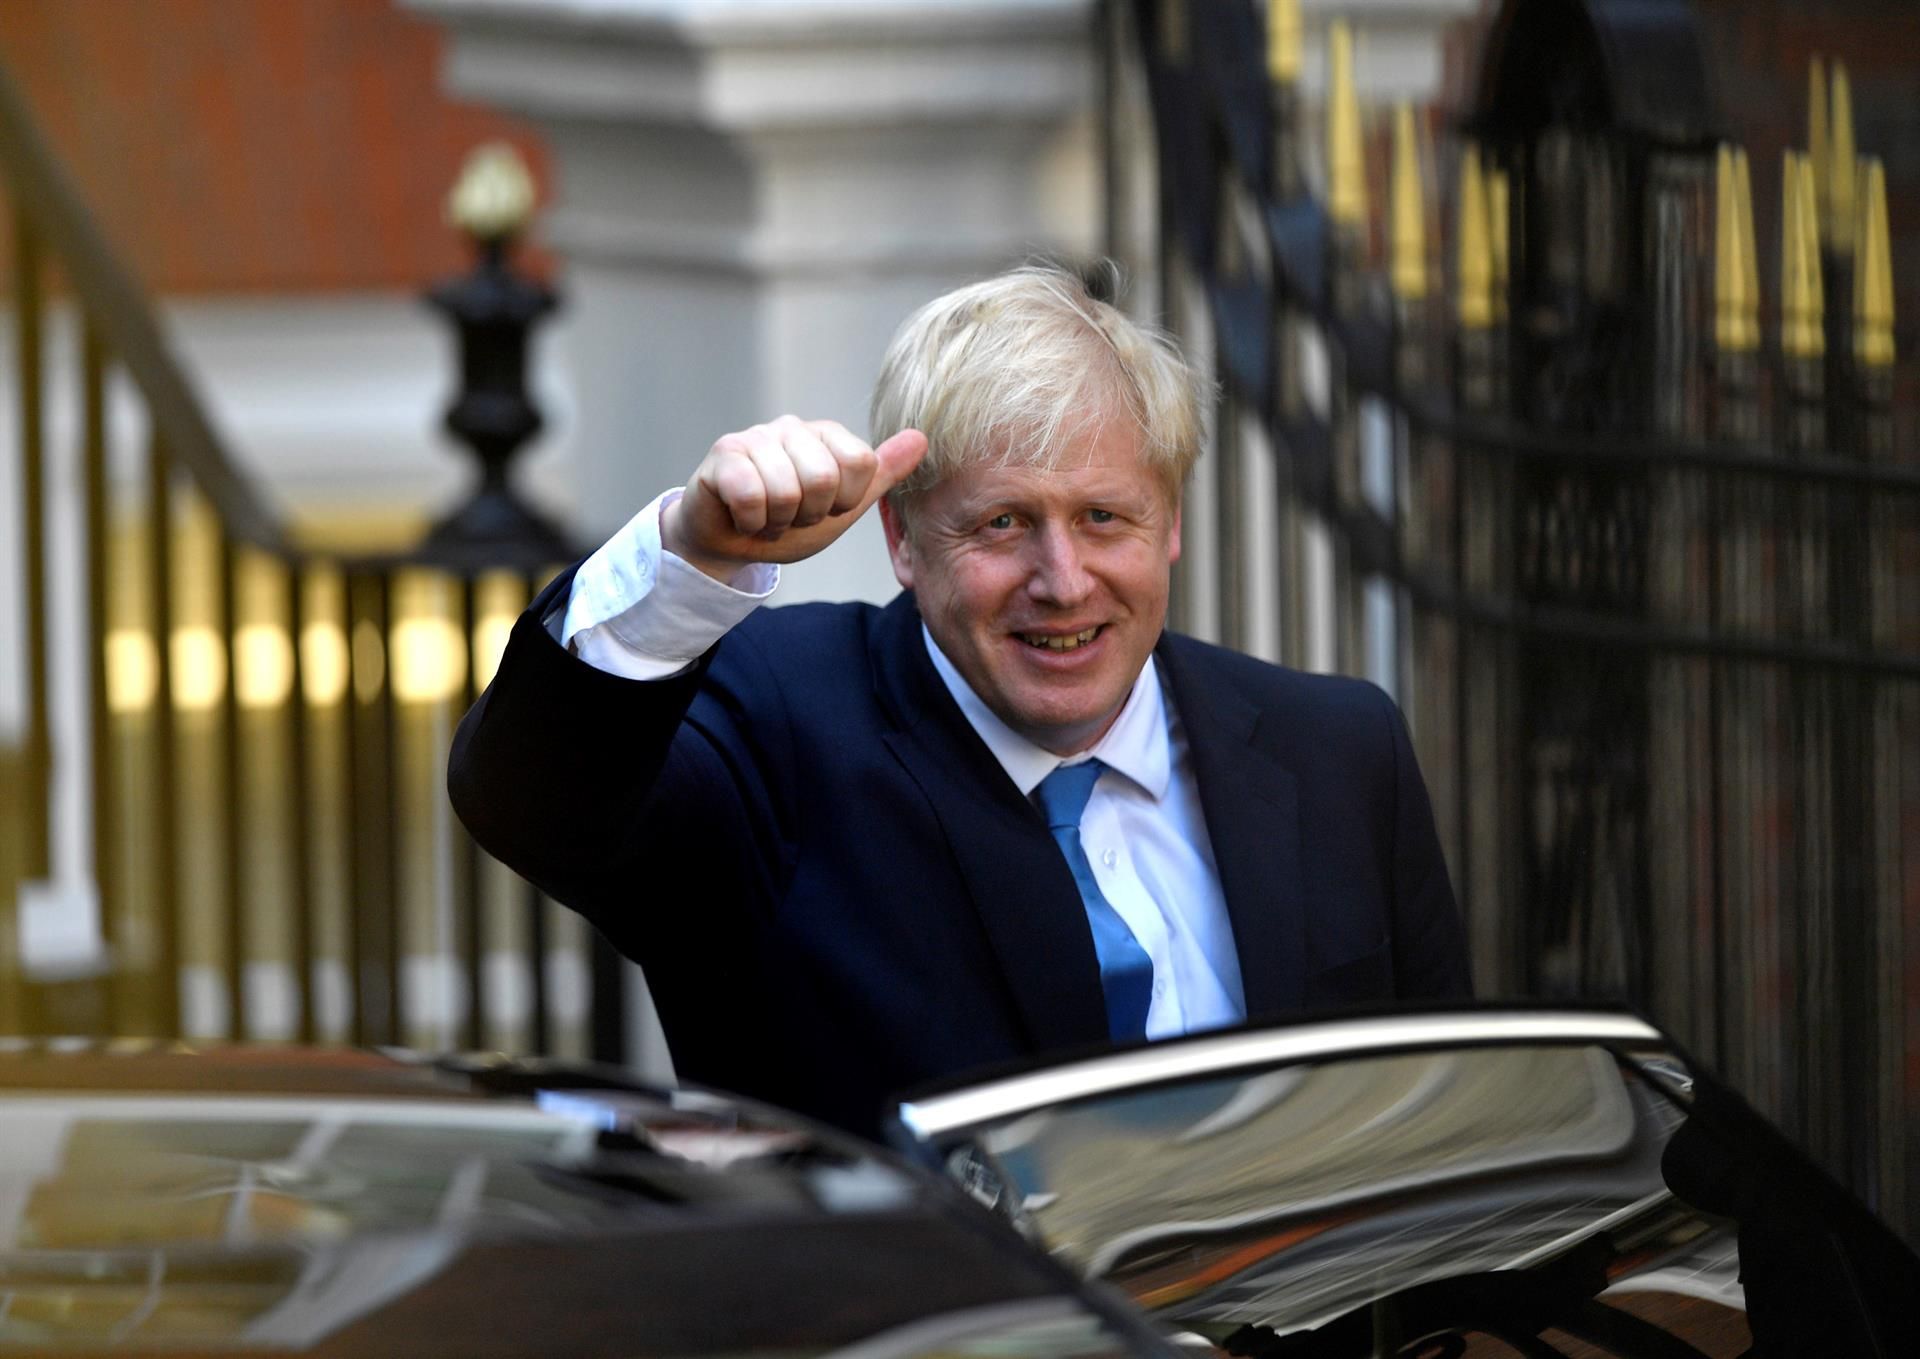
pixel 836 892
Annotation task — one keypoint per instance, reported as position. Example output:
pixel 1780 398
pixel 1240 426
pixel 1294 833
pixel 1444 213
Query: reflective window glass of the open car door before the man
pixel 1502 1193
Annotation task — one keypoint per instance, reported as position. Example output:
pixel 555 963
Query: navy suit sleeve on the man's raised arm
pixel 613 794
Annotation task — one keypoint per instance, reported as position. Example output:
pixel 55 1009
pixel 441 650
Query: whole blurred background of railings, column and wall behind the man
pixel 1568 389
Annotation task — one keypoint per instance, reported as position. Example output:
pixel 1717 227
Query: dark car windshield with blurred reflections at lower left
pixel 458 1226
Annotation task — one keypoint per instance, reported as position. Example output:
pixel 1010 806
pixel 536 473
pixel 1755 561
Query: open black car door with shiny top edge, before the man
pixel 1543 1183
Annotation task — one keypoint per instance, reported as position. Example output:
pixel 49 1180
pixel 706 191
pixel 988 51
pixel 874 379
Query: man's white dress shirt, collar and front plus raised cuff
pixel 640 611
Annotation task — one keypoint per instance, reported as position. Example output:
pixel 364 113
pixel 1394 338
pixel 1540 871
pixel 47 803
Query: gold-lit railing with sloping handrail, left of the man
pixel 258 728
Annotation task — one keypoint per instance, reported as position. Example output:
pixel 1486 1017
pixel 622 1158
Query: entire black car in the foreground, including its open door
pixel 1541 1183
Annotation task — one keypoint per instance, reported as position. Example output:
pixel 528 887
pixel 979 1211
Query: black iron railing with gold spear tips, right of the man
pixel 1644 577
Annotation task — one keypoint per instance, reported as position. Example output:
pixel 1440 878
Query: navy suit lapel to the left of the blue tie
pixel 1017 878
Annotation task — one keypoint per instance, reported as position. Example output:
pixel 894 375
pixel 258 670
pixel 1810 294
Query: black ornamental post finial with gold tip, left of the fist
pixel 494 312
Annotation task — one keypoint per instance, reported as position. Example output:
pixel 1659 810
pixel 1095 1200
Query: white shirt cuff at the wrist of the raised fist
pixel 642 613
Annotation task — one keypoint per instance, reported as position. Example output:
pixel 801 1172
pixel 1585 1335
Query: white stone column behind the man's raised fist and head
pixel 752 195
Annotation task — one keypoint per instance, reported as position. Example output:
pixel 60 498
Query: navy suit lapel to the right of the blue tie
pixel 1255 824
